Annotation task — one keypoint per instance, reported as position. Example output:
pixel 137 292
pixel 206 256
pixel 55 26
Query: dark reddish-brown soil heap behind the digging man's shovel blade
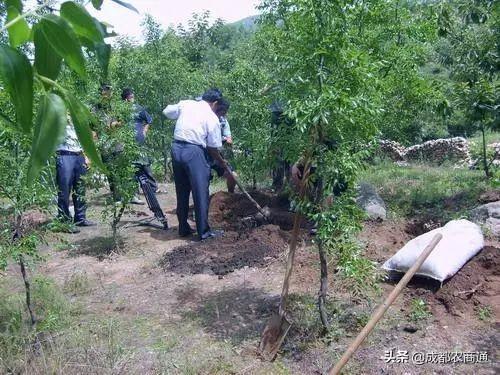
pixel 232 211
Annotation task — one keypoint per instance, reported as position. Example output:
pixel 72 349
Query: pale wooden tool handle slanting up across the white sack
pixel 334 370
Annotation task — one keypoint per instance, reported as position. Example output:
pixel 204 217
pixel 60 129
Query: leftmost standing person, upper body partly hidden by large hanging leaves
pixel 71 166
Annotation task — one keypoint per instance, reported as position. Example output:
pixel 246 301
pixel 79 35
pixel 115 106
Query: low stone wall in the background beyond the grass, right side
pixel 436 151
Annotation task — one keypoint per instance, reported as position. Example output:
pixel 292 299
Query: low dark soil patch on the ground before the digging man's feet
pixel 255 248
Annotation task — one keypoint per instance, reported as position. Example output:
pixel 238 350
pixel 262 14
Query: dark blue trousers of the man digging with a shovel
pixel 191 174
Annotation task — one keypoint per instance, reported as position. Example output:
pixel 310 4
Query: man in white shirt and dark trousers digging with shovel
pixel 197 132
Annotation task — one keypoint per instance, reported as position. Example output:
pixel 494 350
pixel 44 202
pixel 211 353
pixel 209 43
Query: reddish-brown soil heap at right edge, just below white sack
pixel 476 284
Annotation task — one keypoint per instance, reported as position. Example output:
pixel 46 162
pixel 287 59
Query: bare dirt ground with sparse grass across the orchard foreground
pixel 190 307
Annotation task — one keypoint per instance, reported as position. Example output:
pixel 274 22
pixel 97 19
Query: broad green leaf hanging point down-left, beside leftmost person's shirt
pixel 49 127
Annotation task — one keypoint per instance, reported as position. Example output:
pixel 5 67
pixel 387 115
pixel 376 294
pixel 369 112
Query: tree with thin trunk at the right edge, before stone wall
pixel 471 55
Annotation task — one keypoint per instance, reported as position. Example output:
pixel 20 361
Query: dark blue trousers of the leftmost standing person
pixel 69 172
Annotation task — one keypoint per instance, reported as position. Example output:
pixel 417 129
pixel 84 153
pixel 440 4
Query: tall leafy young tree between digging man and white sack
pixel 329 83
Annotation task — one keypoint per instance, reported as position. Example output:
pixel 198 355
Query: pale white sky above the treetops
pixel 170 12
